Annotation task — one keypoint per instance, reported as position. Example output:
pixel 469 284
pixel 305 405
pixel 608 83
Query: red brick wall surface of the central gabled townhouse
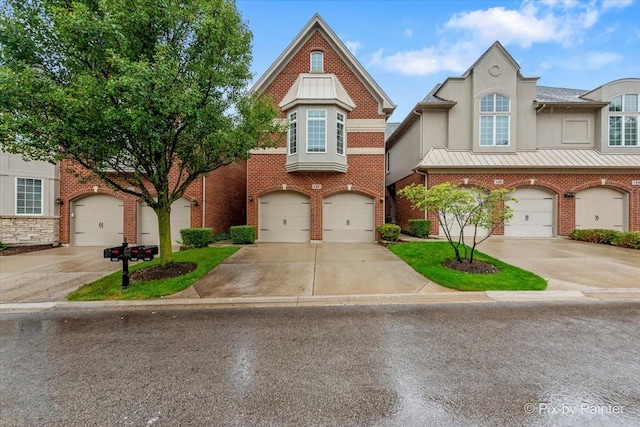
pixel 365 174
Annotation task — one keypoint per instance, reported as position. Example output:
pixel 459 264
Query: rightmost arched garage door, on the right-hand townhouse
pixel 600 208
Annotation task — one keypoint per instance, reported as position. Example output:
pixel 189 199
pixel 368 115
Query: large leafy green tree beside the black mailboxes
pixel 131 90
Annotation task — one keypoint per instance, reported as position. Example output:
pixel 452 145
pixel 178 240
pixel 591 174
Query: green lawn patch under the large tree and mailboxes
pixel 108 288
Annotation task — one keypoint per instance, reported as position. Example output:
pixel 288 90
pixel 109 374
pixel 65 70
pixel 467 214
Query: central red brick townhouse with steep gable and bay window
pixel 326 181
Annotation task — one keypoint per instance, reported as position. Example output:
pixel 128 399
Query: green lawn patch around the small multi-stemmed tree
pixel 426 258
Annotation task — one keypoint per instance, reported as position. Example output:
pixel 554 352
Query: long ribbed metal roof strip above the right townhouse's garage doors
pixel 442 158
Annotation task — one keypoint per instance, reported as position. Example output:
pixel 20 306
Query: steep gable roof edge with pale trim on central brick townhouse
pixel 318 24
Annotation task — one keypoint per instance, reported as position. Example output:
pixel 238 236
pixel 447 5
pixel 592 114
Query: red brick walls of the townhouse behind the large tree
pixel 225 190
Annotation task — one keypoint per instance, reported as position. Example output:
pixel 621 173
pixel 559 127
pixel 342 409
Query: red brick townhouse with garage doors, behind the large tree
pixel 92 214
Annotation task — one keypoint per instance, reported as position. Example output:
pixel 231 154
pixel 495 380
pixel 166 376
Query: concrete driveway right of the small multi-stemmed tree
pixel 569 264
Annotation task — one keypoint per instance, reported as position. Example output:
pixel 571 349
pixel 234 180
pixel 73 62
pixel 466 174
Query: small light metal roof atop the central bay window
pixel 317 88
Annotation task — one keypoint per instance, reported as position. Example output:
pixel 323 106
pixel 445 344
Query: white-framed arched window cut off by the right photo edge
pixel 623 121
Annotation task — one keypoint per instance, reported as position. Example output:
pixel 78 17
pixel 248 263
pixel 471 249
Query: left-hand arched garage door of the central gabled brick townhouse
pixel 284 217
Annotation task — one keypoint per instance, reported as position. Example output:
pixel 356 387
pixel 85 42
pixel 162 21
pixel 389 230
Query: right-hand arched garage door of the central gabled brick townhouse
pixel 348 217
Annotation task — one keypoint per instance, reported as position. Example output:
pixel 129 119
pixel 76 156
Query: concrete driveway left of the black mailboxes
pixel 51 274
